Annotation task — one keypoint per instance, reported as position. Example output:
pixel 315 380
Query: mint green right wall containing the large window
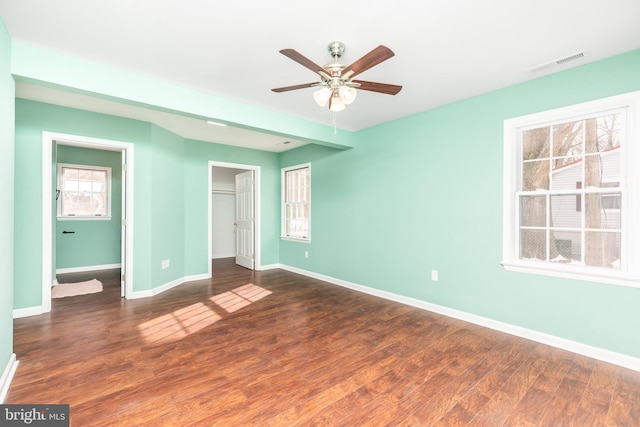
pixel 425 192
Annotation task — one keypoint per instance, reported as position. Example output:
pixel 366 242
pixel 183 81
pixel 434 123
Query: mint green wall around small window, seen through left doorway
pixel 93 242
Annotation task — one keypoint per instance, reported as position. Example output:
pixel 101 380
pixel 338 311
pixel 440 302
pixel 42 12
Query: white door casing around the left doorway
pixel 126 148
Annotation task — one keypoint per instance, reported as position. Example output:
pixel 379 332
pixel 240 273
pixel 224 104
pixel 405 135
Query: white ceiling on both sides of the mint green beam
pixel 446 50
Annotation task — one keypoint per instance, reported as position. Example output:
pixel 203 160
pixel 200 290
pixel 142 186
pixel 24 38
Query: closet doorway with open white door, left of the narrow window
pixel 234 213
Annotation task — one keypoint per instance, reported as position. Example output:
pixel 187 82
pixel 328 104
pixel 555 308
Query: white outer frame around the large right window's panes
pixel 629 272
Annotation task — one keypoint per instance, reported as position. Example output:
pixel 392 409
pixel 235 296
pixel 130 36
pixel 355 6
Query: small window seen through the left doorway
pixel 84 192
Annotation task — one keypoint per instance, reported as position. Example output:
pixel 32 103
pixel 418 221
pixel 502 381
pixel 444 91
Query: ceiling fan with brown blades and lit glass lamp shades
pixel 336 85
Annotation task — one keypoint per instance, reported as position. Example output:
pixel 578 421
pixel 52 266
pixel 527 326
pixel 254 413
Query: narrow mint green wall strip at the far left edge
pixel 7 111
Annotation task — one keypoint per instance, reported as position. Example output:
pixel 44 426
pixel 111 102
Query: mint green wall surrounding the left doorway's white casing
pixel 32 118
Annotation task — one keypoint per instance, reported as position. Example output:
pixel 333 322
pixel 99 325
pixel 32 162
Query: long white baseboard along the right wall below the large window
pixel 554 341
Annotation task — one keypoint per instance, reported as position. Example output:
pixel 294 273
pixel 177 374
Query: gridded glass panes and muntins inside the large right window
pixel 554 158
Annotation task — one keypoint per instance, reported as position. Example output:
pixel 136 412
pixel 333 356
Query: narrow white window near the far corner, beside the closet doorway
pixel 296 199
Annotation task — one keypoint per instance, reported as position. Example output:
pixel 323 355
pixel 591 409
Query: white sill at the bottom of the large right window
pixel 613 277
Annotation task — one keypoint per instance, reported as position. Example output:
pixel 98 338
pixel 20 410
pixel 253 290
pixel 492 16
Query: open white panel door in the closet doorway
pixel 245 220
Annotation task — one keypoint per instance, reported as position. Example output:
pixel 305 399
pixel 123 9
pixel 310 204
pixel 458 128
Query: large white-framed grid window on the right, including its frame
pixel 570 191
